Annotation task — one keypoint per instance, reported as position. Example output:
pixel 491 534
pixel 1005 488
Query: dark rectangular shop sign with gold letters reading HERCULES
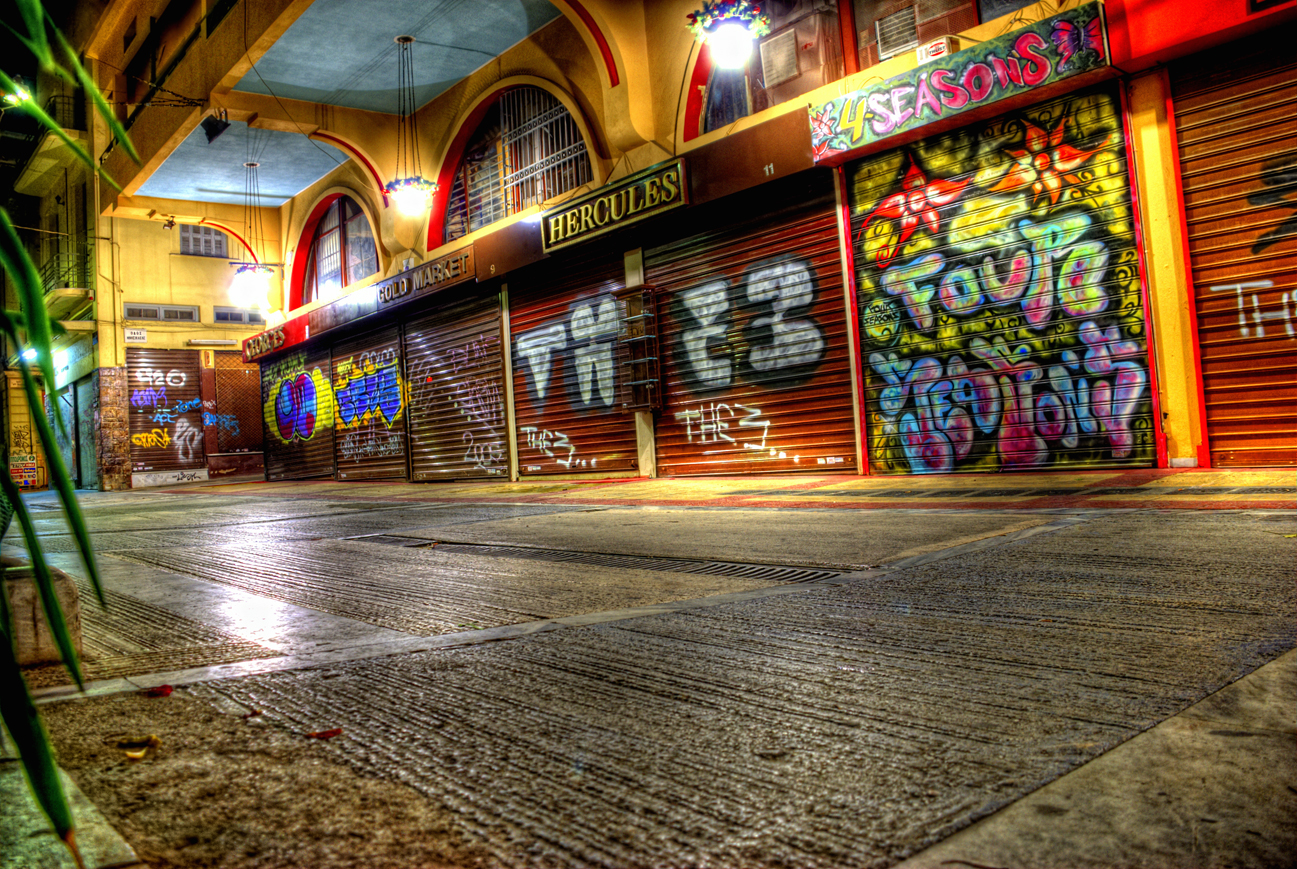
pixel 612 208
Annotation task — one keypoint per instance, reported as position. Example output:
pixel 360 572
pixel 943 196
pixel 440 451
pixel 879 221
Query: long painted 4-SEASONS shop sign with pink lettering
pixel 1027 60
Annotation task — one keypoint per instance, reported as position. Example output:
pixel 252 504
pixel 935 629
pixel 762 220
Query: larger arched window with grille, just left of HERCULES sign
pixel 526 151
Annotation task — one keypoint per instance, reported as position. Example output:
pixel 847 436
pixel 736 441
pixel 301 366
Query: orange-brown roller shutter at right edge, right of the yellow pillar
pixel 1237 125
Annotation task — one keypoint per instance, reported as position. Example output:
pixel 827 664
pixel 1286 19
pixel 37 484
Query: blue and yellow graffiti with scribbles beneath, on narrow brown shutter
pixel 369 399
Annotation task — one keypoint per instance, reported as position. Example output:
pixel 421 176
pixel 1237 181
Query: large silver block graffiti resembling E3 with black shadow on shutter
pixel 758 329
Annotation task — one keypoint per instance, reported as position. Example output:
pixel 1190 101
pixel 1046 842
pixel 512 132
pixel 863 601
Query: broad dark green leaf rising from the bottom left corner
pixel 33 743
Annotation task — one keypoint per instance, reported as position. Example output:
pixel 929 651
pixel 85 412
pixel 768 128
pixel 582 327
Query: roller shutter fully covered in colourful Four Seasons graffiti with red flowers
pixel 1002 313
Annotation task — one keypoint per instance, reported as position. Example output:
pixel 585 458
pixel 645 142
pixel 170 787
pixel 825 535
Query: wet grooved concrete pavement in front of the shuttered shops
pixel 675 674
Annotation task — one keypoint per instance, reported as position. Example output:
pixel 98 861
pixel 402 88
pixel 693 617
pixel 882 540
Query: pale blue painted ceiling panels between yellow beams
pixel 343 54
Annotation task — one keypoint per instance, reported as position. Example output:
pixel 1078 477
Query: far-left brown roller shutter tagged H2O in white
pixel 167 411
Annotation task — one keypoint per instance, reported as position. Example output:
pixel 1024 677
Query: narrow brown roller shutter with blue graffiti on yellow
pixel 369 408
